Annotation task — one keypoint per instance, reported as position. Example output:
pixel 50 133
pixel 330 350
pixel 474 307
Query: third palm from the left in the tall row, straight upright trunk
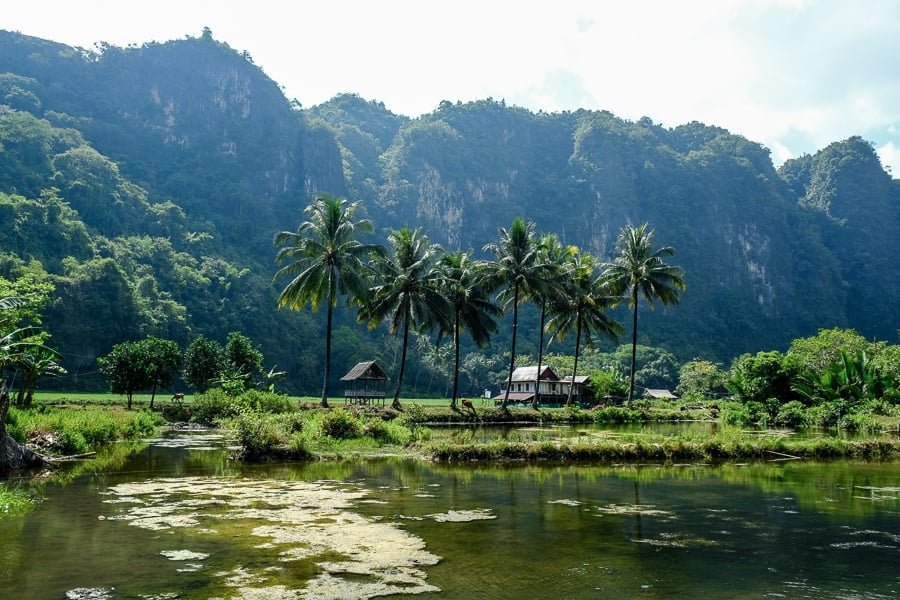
pixel 462 283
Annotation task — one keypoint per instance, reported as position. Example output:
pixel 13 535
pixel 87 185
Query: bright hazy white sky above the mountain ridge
pixel 794 75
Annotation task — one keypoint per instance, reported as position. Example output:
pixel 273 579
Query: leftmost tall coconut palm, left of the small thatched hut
pixel 324 259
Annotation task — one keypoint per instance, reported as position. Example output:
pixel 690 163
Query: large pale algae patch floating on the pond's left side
pixel 347 554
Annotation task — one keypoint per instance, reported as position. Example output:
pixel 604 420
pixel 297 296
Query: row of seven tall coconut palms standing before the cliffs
pixel 417 285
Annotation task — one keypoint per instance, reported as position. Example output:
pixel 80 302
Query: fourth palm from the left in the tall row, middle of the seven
pixel 515 270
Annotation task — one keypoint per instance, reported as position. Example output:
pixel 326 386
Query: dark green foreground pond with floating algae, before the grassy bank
pixel 176 518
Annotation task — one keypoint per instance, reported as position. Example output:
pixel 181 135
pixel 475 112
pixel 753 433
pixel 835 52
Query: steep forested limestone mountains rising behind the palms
pixel 147 185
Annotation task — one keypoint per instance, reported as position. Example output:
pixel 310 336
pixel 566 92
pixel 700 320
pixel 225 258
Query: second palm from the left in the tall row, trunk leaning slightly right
pixel 408 292
